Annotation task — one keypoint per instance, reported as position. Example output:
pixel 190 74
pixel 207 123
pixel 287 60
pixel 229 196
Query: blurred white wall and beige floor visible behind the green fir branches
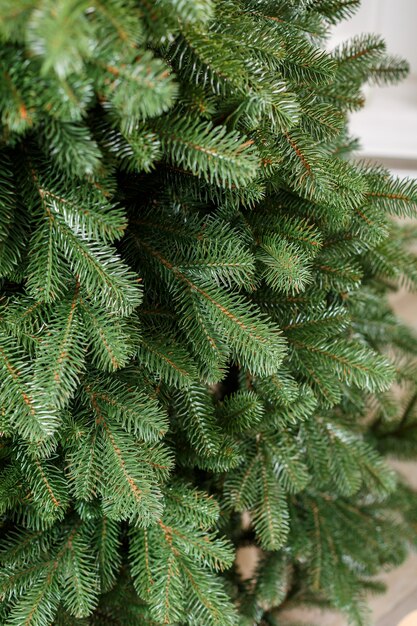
pixel 387 128
